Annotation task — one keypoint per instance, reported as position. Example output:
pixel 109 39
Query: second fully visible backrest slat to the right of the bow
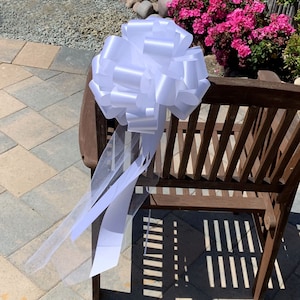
pixel 226 132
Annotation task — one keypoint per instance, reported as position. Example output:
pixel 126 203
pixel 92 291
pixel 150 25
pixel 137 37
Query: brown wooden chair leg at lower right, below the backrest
pixel 270 251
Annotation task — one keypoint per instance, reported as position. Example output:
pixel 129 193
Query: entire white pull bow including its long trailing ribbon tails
pixel 136 78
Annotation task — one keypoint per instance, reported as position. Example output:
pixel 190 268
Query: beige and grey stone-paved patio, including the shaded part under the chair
pixel 42 178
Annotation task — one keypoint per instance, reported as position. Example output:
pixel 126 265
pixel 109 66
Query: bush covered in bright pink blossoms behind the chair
pixel 238 32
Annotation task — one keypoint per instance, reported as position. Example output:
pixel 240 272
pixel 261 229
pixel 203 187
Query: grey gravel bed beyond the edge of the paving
pixel 72 23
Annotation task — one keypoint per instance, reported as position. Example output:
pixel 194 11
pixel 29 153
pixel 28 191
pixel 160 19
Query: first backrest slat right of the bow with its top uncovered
pixel 205 140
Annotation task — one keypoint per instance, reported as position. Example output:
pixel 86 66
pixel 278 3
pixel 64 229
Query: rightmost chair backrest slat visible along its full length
pixel 275 142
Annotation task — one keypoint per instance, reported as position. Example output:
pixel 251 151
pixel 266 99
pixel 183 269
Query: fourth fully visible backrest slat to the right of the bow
pixel 258 143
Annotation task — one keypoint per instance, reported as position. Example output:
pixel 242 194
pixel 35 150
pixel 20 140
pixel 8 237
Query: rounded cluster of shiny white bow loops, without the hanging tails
pixel 149 66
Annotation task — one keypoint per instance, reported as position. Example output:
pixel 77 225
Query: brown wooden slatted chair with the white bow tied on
pixel 240 146
